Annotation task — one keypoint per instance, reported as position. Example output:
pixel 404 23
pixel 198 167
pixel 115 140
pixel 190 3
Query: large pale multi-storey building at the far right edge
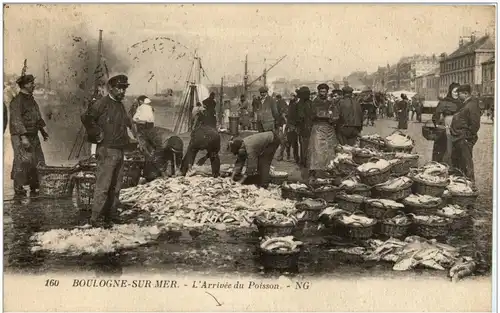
pixel 464 65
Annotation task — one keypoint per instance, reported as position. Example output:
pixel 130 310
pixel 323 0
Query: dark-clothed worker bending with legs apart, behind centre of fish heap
pixel 206 138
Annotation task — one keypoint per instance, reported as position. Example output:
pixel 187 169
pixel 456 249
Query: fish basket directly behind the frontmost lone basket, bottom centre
pixel 277 225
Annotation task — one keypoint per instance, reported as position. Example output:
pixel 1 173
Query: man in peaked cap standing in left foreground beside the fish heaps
pixel 106 122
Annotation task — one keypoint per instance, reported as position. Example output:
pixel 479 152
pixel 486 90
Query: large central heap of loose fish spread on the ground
pixel 220 203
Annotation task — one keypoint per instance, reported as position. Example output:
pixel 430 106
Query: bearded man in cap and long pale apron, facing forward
pixel 323 140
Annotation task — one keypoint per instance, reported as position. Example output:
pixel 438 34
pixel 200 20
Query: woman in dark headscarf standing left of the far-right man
pixel 443 115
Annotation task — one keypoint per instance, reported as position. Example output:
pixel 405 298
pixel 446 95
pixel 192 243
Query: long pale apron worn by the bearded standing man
pixel 321 146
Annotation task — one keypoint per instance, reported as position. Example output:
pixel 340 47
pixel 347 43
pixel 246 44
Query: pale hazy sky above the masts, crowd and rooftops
pixel 321 41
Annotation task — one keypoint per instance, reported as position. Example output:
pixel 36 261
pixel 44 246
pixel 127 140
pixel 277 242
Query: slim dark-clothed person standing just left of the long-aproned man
pixel 304 122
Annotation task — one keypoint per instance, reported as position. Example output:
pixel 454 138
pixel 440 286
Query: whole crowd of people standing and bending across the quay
pixel 309 127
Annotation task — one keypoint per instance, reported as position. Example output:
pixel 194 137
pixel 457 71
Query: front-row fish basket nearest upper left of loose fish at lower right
pixel 355 226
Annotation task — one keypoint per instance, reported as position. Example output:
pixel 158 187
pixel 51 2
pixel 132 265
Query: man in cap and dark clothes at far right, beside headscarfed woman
pixel 464 128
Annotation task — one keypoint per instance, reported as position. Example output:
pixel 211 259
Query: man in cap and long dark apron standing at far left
pixel 25 123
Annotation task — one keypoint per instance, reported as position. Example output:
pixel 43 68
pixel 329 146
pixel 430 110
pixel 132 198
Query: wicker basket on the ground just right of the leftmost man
pixel 55 181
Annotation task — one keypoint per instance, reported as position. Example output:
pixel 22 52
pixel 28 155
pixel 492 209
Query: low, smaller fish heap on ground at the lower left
pixel 94 240
